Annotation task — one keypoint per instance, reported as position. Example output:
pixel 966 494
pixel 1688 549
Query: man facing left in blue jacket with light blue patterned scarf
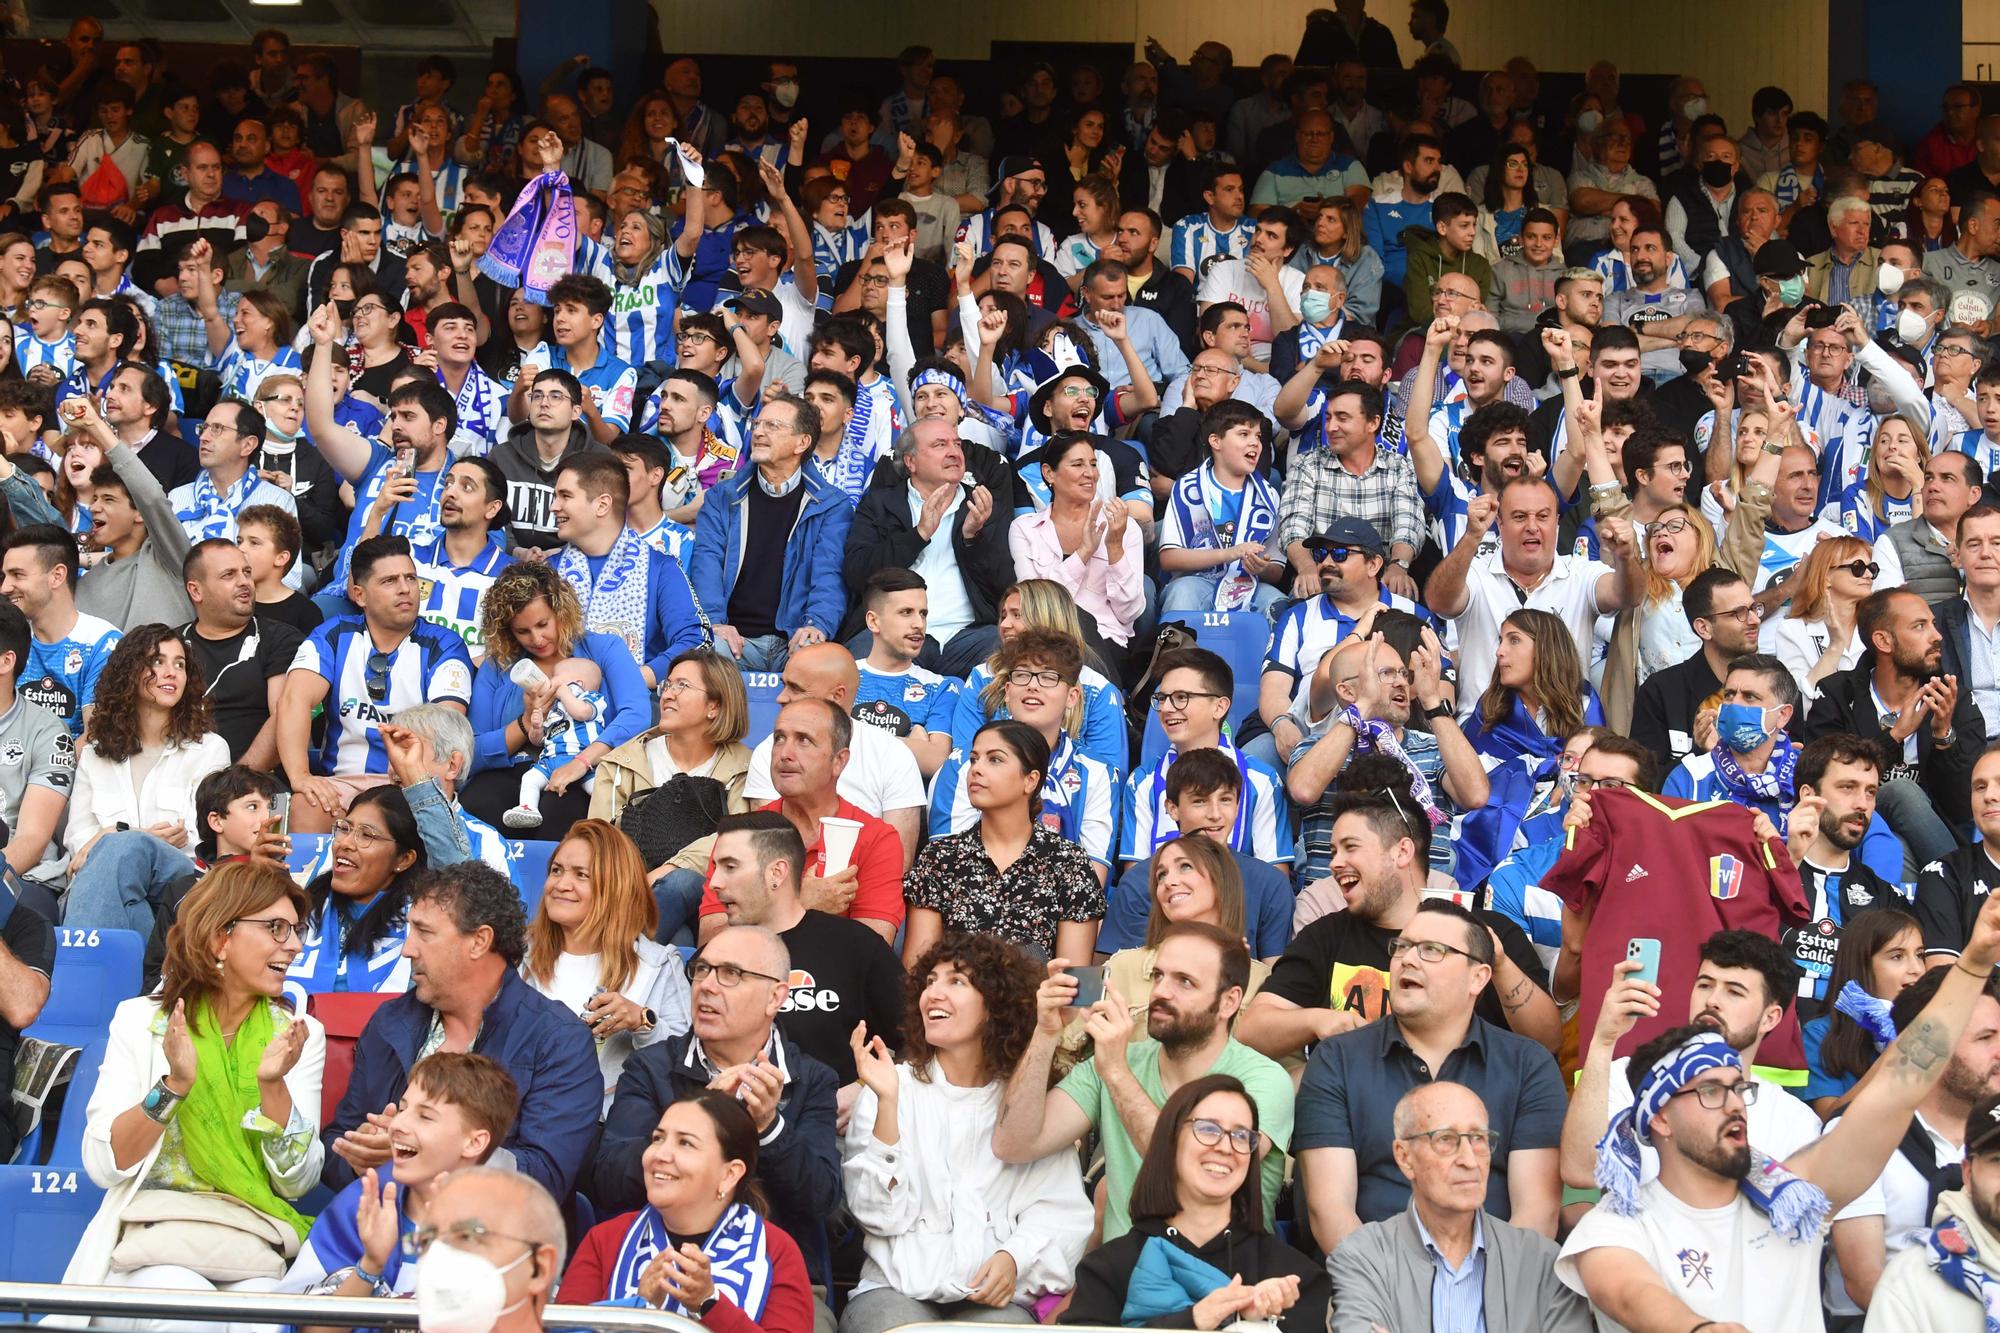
pixel 627 587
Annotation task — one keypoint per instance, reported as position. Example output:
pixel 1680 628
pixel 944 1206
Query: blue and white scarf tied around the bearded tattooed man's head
pixel 1795 1206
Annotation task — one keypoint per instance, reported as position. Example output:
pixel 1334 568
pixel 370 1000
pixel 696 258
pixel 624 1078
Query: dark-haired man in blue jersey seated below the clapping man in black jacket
pixel 895 694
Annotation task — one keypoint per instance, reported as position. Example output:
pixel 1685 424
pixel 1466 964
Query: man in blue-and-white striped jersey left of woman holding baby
pixel 365 668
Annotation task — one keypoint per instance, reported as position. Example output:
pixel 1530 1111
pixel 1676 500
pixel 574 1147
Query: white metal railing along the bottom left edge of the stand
pixel 31 1300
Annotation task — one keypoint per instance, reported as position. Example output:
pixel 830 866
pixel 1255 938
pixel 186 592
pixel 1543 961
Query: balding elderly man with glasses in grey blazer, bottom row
pixel 1445 1252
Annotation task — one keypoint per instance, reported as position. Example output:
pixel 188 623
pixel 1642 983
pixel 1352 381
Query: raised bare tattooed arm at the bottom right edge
pixel 1855 1152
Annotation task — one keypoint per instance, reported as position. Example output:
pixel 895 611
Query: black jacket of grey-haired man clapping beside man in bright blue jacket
pixel 885 537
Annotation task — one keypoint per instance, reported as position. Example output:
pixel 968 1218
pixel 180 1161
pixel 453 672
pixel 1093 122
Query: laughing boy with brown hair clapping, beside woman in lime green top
pixel 455 1112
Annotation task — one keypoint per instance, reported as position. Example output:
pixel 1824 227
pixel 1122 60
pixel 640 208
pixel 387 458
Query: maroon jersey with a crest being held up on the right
pixel 1677 872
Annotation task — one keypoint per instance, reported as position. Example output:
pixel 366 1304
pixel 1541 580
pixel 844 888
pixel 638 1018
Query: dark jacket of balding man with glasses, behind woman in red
pixel 799 1168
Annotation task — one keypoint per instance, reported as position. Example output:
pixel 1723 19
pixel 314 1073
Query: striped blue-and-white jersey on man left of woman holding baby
pixel 367 688
